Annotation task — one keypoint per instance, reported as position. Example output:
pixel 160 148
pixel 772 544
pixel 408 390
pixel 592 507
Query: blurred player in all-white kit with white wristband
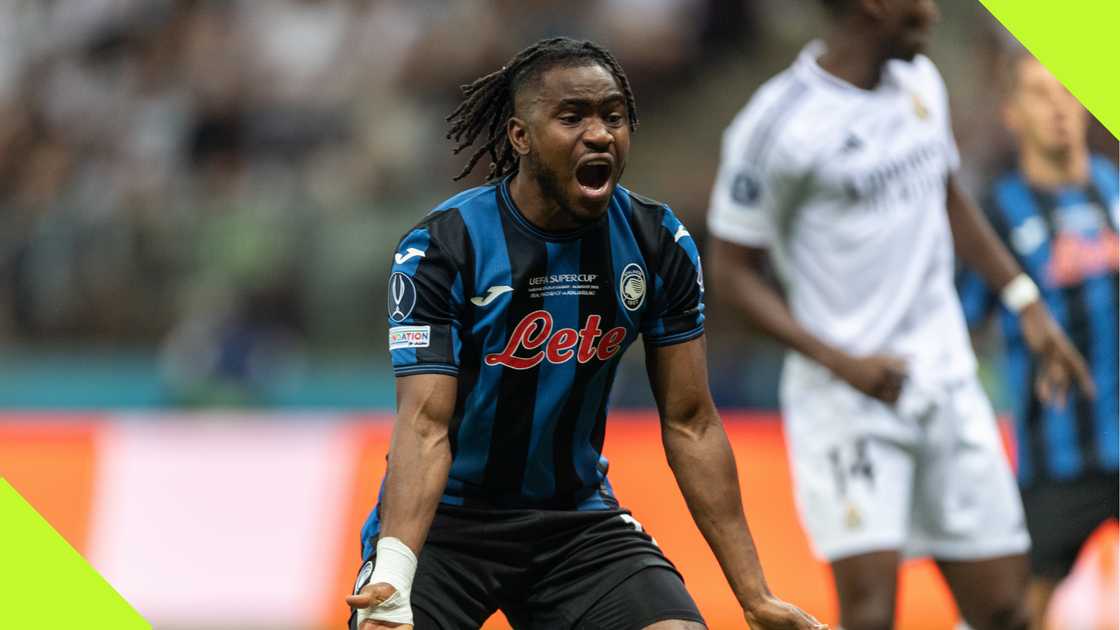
pixel 842 171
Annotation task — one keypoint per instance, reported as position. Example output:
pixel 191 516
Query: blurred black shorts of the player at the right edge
pixel 1062 515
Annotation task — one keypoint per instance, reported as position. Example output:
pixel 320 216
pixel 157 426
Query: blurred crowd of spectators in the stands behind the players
pixel 226 180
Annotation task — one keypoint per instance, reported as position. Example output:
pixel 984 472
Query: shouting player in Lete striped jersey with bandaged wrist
pixel 510 307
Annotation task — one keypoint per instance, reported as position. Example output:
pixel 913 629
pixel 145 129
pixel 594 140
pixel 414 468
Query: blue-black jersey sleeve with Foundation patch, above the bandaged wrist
pixel 425 308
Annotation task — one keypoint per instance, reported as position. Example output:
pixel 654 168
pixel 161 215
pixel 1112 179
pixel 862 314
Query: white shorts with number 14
pixel 927 477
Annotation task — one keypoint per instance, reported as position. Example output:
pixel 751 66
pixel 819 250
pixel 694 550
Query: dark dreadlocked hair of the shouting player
pixel 488 103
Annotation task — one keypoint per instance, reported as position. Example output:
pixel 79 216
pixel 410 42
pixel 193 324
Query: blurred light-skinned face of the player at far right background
pixel 1042 114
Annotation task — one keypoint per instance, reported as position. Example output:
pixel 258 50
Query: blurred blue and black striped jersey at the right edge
pixel 1067 242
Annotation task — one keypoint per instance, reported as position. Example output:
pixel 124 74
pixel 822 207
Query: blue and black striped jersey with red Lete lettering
pixel 534 325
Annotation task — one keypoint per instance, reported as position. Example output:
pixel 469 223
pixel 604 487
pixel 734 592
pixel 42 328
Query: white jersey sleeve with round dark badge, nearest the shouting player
pixel 755 181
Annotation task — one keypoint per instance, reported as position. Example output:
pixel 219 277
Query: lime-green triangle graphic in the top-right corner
pixel 1077 41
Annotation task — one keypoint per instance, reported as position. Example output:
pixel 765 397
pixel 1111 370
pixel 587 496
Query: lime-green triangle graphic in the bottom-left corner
pixel 45 583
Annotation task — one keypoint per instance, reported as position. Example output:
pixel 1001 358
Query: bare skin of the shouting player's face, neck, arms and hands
pixel 575 115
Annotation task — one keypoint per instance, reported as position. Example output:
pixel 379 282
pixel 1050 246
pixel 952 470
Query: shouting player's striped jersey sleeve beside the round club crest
pixel 676 314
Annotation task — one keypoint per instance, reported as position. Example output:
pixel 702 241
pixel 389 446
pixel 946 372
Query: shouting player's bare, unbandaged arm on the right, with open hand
pixel 703 462
